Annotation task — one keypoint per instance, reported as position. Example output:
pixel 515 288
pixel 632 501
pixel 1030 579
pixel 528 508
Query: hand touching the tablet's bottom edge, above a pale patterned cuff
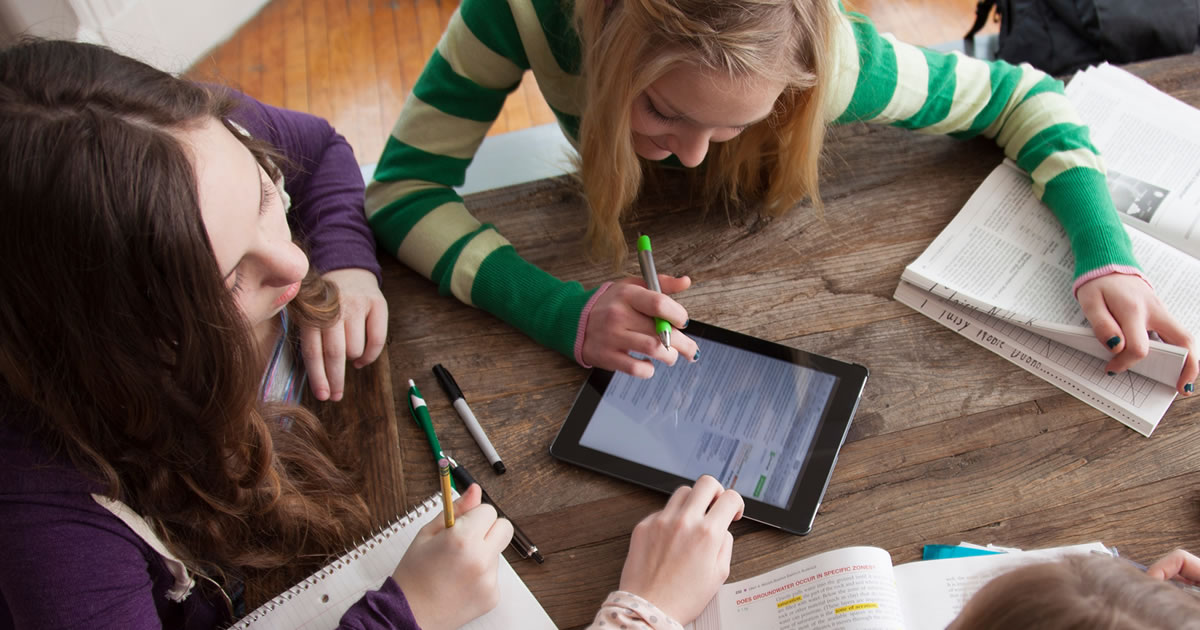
pixel 681 556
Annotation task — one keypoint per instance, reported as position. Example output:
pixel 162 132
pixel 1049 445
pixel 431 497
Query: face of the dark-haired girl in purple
pixel 243 213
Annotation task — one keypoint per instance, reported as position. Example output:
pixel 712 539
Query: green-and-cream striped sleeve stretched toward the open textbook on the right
pixel 880 80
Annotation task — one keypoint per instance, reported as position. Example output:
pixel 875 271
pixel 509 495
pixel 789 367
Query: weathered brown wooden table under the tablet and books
pixel 951 442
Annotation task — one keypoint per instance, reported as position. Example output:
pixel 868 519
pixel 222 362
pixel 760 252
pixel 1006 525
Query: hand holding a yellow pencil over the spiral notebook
pixel 451 577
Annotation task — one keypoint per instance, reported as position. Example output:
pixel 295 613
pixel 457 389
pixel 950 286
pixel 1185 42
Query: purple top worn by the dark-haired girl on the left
pixel 69 562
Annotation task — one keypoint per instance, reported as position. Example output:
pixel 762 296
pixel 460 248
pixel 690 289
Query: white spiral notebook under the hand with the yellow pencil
pixel 319 602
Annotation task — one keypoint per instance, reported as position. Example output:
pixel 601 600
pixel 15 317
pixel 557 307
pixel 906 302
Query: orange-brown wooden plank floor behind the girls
pixel 353 62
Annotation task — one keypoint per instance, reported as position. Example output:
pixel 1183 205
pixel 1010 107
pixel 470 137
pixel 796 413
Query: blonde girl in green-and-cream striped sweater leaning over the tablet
pixel 746 88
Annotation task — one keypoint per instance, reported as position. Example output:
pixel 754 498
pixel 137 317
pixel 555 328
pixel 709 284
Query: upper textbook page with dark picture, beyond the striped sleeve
pixel 1151 147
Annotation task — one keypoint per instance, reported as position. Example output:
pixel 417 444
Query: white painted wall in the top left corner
pixel 169 34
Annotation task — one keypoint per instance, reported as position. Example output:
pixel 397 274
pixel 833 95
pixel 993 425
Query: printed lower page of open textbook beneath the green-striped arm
pixel 1006 255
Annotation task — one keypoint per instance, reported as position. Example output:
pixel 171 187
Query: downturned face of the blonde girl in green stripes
pixel 688 109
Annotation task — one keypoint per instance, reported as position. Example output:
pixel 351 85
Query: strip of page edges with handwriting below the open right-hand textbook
pixel 1132 399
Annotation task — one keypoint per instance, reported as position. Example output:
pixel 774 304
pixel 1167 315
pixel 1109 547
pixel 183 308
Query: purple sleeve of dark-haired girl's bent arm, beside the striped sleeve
pixel 323 181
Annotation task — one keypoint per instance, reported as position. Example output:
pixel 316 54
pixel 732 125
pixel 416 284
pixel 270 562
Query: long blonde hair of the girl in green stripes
pixel 628 45
